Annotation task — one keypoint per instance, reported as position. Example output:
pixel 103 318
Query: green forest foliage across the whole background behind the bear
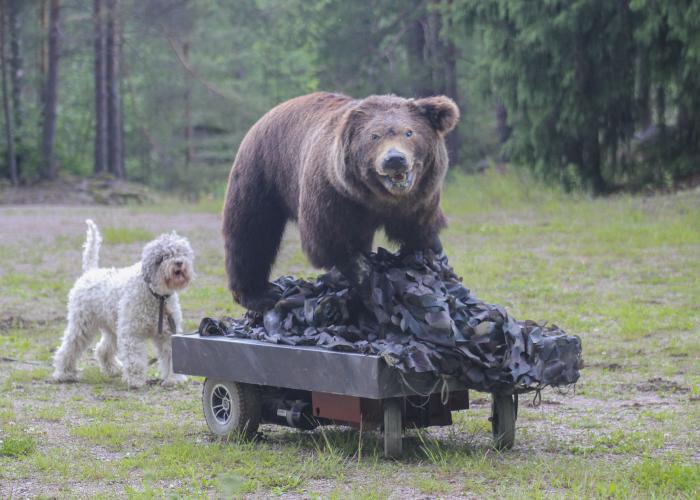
pixel 598 95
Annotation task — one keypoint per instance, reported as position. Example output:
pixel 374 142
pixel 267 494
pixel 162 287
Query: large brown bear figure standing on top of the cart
pixel 342 168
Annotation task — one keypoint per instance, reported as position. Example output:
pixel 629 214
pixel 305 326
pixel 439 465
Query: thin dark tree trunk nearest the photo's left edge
pixel 16 75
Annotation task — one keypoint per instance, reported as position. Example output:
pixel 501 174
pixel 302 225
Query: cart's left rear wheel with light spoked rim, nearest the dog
pixel 231 409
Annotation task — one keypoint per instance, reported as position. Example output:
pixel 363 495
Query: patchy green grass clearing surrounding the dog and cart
pixel 620 272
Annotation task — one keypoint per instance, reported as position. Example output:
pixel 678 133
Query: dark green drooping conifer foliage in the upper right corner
pixel 576 79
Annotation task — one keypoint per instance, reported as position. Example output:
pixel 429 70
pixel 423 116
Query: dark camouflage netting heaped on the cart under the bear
pixel 414 312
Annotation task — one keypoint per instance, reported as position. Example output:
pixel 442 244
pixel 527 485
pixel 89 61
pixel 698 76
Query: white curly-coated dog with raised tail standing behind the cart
pixel 128 306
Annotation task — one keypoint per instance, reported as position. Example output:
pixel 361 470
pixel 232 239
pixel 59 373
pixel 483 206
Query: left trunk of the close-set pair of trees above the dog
pixel 101 162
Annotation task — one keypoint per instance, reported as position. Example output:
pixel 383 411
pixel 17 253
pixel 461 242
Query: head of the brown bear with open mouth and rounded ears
pixel 395 147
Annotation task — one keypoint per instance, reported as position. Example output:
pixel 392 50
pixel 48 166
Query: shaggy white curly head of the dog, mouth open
pixel 167 263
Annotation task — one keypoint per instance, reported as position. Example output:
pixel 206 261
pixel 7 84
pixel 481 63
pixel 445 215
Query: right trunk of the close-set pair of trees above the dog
pixel 115 153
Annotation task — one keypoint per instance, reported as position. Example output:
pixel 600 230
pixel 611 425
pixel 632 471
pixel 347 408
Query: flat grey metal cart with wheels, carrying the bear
pixel 249 382
